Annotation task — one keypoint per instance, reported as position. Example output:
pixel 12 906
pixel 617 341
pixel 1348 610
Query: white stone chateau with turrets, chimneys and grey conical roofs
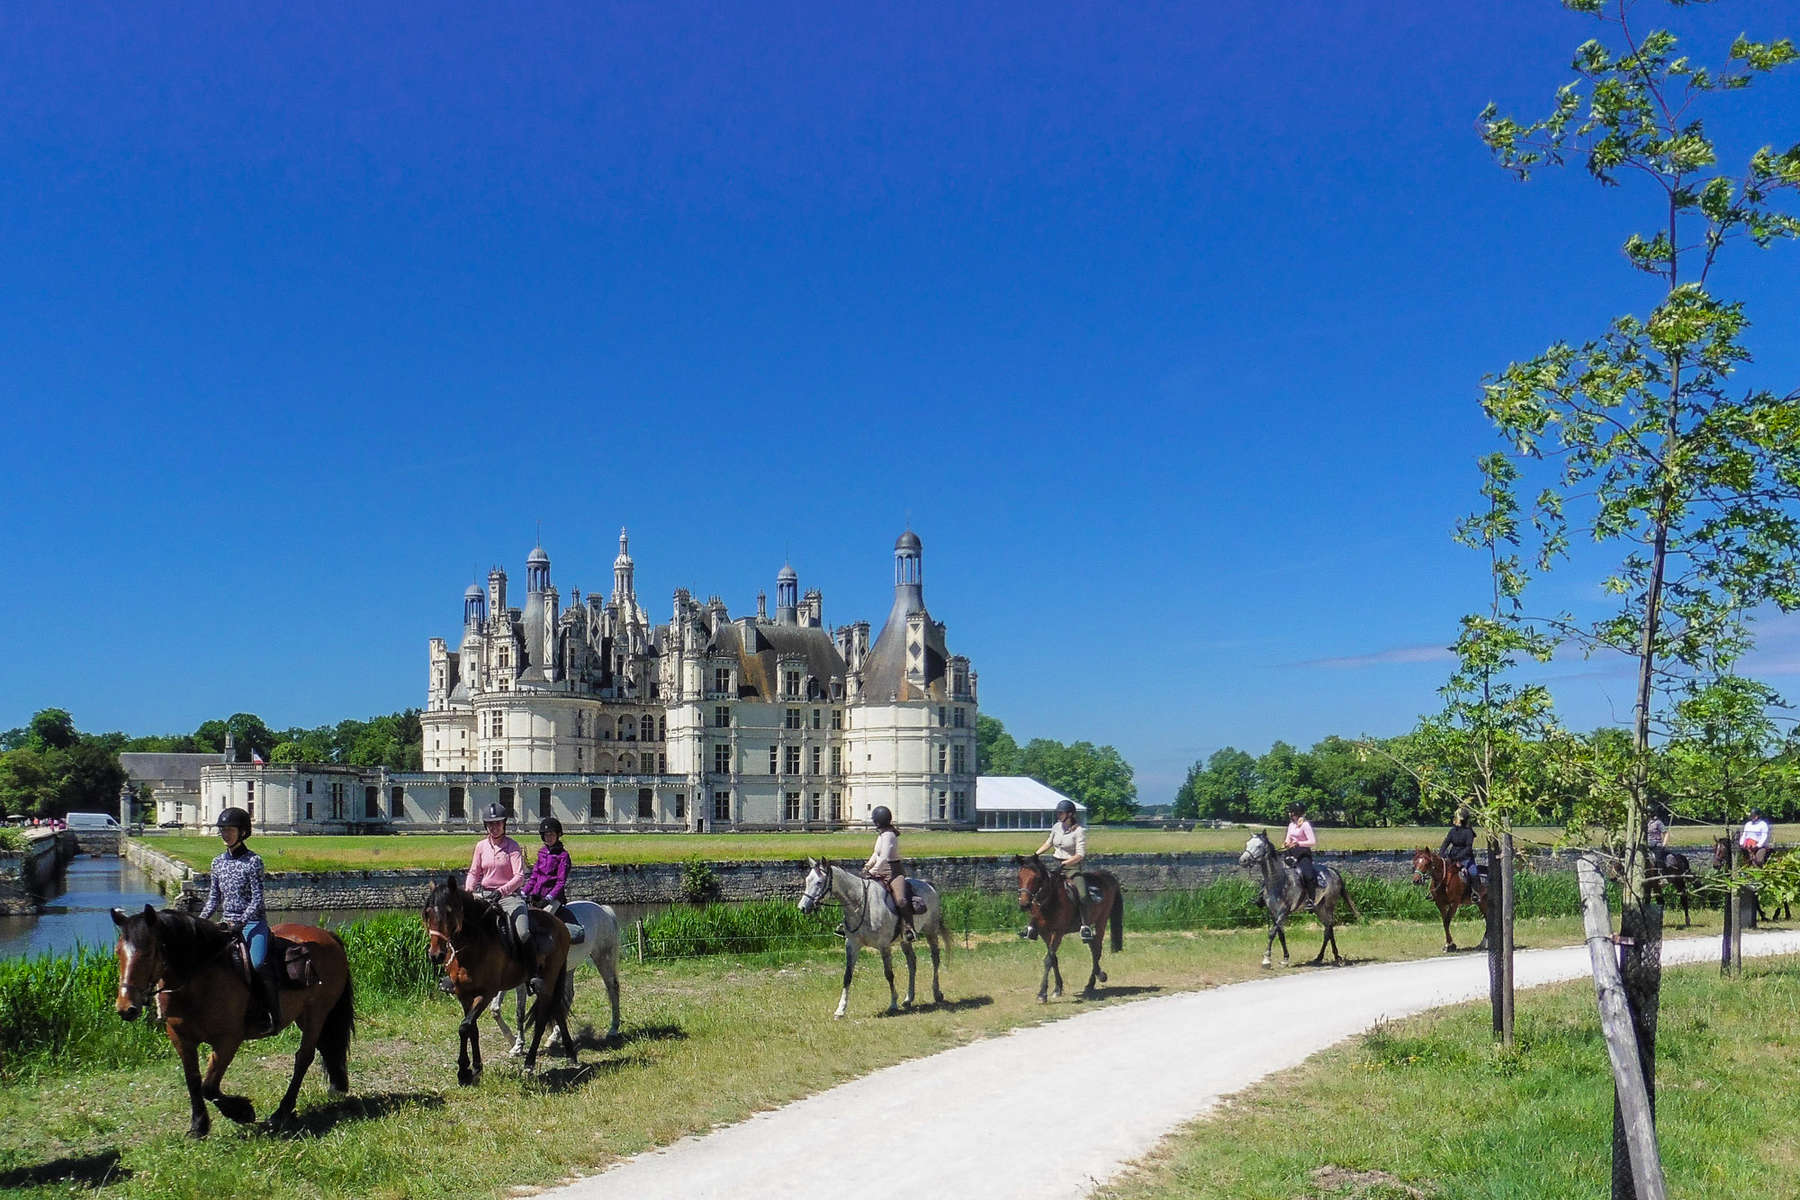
pixel 598 717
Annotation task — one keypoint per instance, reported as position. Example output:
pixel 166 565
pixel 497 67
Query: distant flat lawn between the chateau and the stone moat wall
pixel 453 850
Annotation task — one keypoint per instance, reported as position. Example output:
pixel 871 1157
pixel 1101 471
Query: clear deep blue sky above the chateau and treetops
pixel 1164 330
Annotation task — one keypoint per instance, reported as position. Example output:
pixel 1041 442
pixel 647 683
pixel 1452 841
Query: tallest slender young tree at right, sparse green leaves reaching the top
pixel 1657 452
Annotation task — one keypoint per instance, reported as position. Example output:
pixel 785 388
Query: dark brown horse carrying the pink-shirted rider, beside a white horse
pixel 467 936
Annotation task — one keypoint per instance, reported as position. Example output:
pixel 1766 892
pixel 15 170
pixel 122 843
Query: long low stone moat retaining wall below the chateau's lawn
pixel 744 881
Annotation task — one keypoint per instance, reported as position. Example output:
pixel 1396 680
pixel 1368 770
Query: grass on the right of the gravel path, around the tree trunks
pixel 1430 1109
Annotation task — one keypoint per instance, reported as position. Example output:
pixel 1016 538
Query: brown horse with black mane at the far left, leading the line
pixel 204 996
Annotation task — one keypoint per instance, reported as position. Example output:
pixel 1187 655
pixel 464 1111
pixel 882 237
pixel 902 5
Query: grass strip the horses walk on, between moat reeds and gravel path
pixel 706 1043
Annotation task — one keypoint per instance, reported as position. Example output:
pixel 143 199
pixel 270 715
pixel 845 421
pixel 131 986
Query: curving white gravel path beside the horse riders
pixel 976 1113
